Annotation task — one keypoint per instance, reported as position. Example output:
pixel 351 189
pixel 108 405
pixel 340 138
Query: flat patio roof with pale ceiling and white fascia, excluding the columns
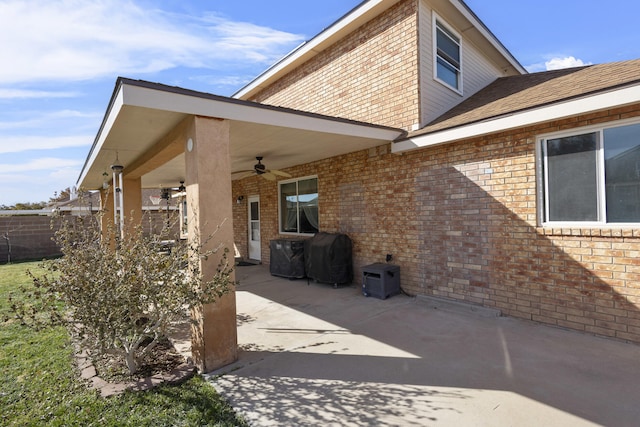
pixel 141 114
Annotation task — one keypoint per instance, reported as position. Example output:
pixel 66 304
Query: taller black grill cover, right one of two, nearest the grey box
pixel 328 258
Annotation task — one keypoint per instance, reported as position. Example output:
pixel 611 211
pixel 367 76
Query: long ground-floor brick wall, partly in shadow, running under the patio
pixel 460 220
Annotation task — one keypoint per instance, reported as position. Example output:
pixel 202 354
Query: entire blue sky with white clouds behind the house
pixel 60 60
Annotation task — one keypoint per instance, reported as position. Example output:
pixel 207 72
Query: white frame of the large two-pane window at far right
pixel 542 168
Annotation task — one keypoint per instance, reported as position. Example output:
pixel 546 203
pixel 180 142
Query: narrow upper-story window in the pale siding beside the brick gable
pixel 448 58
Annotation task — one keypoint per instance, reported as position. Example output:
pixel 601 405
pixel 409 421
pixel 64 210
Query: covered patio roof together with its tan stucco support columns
pixel 158 136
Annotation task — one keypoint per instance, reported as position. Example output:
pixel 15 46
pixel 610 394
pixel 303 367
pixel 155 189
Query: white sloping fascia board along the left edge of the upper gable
pixel 356 18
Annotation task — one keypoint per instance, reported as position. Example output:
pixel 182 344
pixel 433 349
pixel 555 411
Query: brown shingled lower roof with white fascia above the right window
pixel 527 99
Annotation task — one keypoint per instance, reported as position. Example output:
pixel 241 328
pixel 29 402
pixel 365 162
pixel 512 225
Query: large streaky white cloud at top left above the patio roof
pixel 78 40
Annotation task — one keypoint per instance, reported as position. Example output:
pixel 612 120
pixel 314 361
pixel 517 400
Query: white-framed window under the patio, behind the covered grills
pixel 299 206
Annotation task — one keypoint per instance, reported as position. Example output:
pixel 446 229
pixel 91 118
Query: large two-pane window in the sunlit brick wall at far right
pixel 592 177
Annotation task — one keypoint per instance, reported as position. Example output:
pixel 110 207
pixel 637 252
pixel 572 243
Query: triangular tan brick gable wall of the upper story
pixel 371 75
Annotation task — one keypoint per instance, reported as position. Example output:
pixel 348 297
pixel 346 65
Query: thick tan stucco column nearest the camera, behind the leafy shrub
pixel 209 204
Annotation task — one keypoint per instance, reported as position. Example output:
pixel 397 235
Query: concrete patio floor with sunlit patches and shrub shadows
pixel 312 355
